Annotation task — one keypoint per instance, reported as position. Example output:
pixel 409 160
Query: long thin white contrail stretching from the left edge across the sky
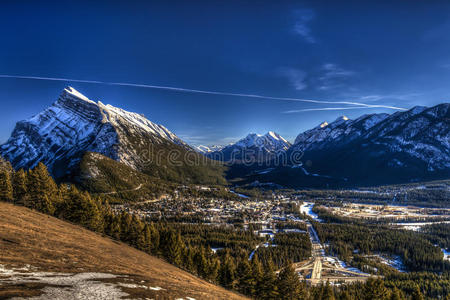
pixel 170 88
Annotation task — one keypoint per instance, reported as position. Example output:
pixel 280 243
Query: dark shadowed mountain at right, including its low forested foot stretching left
pixel 405 146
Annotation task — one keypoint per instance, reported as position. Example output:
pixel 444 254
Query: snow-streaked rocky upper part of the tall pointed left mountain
pixel 75 124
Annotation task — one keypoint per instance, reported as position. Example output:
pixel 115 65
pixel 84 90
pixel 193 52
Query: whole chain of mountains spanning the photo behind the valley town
pixel 75 134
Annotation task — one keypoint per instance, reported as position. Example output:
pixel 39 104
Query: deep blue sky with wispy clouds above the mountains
pixel 379 53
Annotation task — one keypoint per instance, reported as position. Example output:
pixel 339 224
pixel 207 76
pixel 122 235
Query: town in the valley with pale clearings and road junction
pixel 288 212
